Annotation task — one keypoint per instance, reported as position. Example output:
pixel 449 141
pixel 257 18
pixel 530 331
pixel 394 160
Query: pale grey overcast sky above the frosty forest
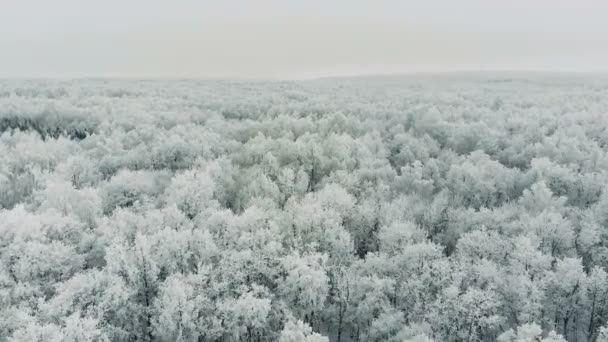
pixel 297 39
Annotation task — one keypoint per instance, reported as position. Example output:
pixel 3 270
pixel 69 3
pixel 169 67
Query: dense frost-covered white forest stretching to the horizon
pixel 452 208
